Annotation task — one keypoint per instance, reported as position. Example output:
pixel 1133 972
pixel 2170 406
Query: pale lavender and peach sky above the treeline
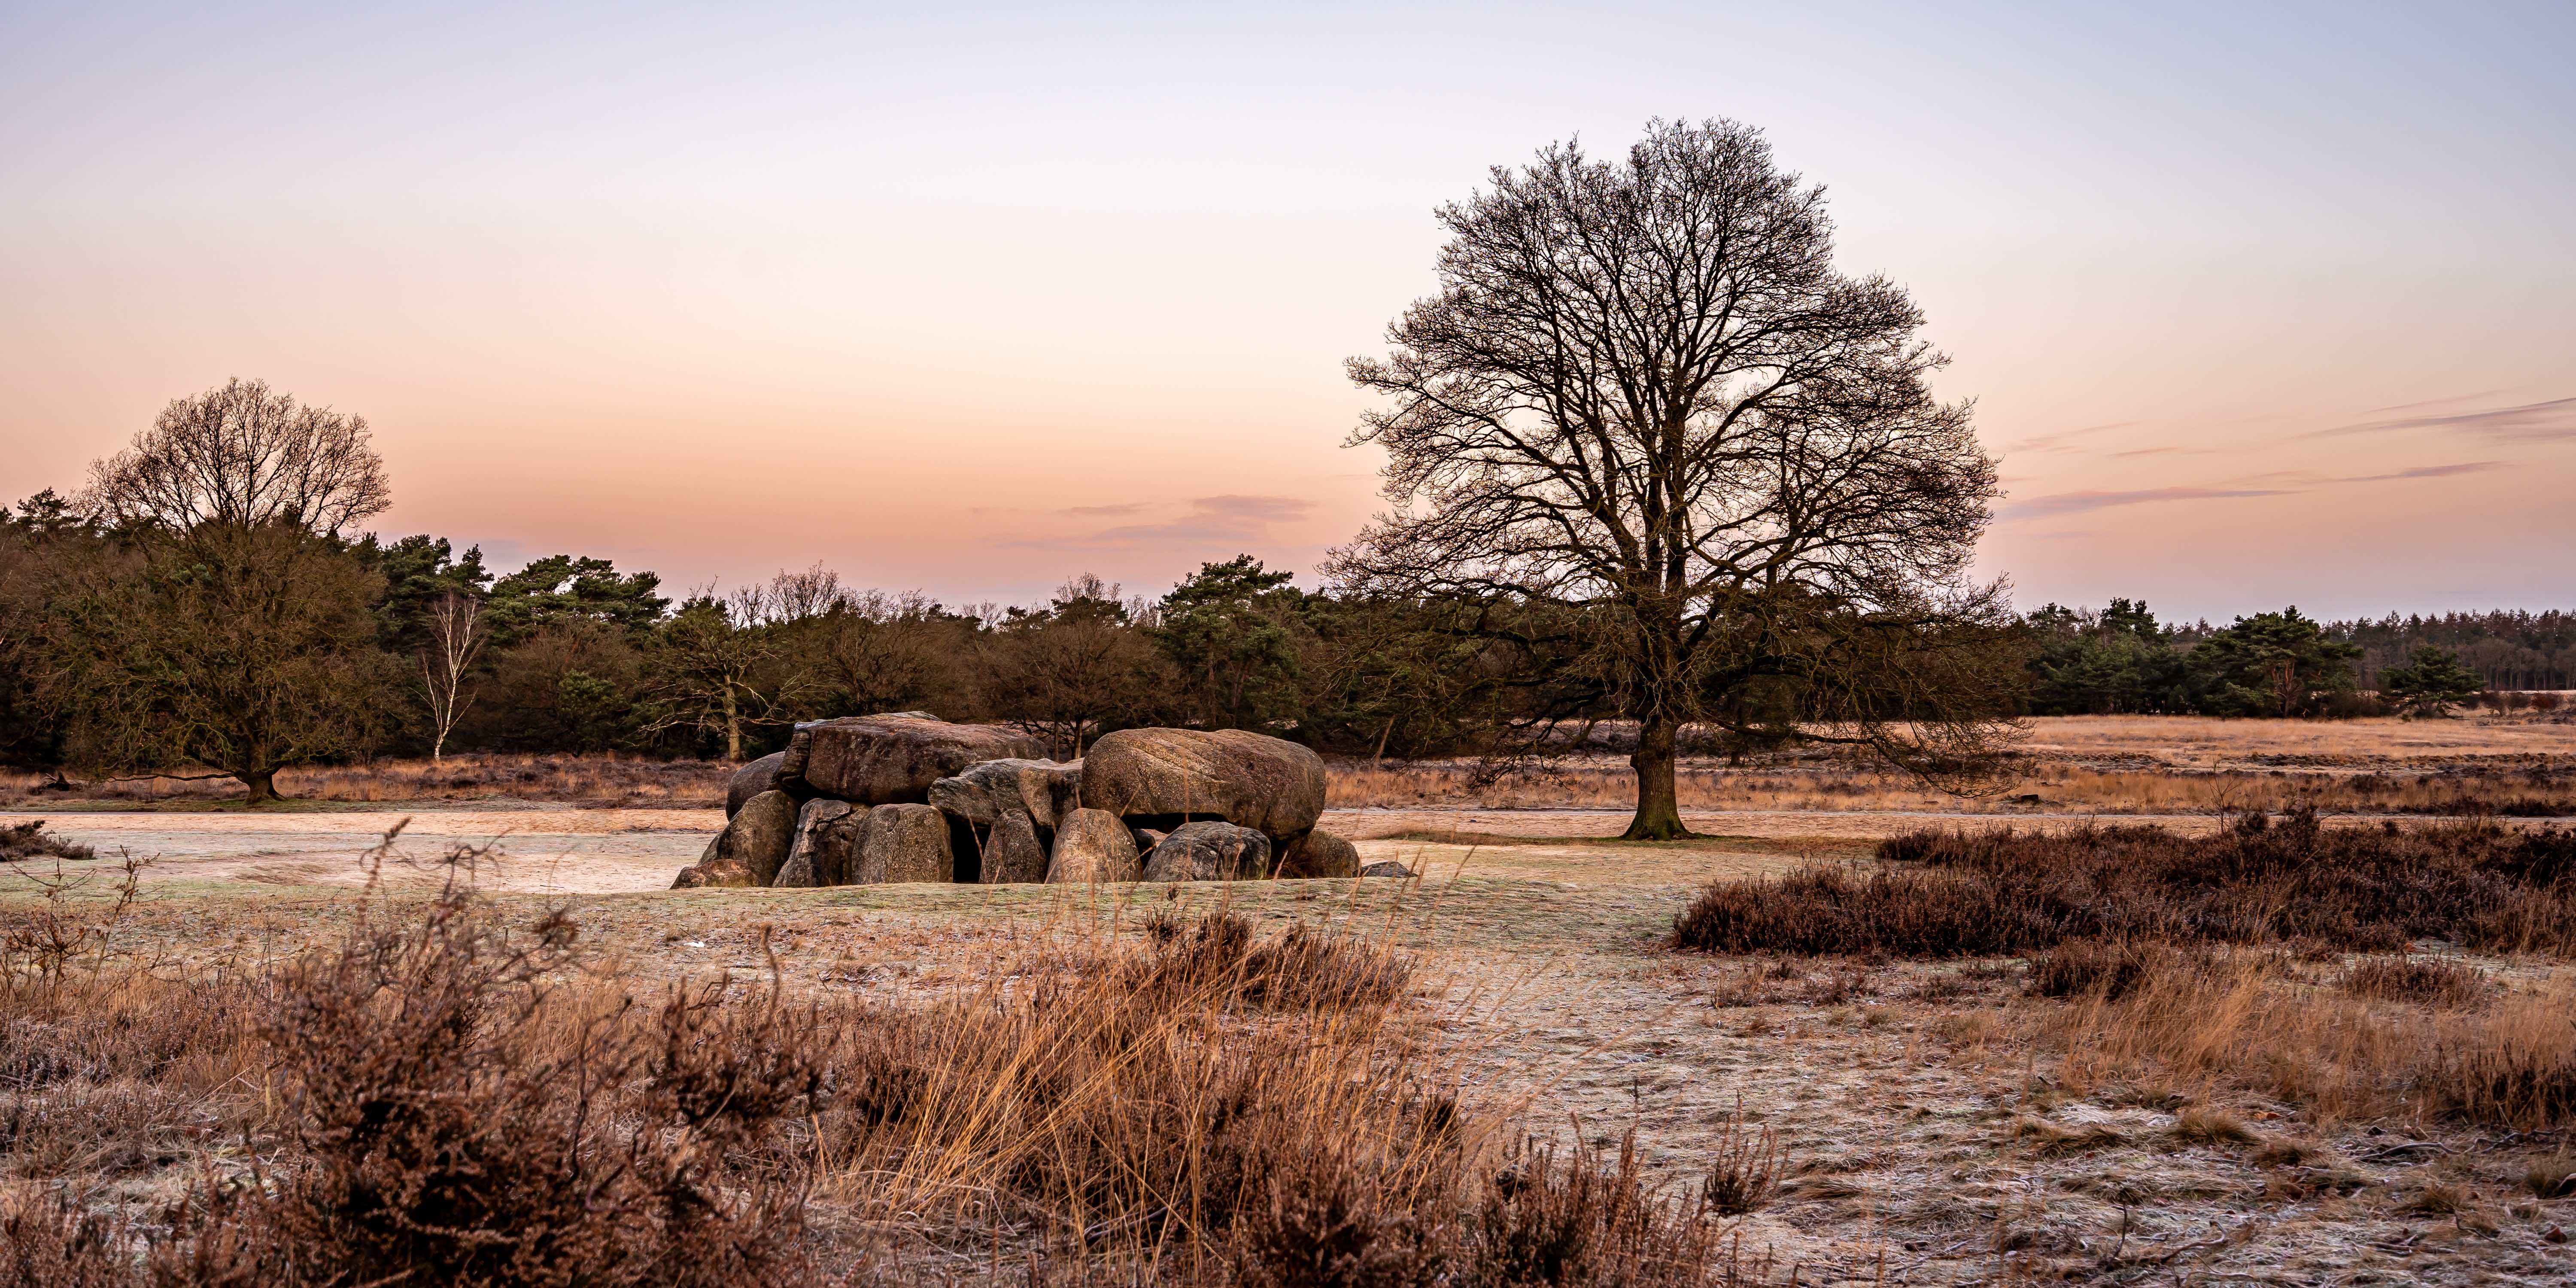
pixel 2258 305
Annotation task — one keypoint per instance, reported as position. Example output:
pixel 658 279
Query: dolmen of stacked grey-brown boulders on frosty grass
pixel 911 797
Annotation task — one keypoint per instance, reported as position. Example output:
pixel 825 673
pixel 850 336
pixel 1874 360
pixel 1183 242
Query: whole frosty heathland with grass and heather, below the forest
pixel 2188 1001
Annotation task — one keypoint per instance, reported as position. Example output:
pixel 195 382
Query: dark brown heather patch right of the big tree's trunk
pixel 2016 893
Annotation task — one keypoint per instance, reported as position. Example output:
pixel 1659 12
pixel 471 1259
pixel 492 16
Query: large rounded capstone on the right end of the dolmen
pixel 1207 774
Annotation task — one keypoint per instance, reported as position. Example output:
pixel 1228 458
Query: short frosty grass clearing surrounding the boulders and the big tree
pixel 1926 1137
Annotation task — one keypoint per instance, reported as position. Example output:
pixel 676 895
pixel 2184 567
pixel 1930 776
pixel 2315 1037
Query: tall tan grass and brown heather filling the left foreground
pixel 447 1099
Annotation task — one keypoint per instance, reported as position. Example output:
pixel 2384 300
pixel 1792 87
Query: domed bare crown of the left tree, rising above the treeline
pixel 246 457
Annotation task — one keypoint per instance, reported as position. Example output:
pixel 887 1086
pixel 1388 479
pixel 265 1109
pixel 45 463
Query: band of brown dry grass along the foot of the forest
pixel 2067 764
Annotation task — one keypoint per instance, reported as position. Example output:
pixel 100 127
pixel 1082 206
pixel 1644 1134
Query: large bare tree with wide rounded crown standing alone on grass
pixel 1647 395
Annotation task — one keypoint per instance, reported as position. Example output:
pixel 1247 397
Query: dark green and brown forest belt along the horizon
pixel 416 648
